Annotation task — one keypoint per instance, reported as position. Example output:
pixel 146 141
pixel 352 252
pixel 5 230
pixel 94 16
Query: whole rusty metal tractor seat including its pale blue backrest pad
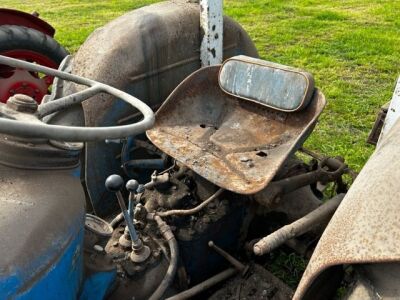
pixel 236 124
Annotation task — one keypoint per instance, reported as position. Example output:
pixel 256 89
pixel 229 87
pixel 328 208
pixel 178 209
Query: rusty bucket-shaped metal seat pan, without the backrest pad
pixel 236 144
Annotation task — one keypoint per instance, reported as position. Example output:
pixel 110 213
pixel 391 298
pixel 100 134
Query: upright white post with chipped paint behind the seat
pixel 211 23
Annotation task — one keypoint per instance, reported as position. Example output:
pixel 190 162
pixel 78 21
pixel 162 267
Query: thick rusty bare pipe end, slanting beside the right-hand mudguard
pixel 297 228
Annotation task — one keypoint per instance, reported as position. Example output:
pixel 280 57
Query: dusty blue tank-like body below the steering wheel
pixel 41 219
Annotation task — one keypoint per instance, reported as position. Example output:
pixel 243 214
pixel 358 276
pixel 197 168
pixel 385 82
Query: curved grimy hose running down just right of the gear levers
pixel 173 263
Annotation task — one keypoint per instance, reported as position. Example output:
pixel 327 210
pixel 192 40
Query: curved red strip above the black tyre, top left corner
pixel 15 17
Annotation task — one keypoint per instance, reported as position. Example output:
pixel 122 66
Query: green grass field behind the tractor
pixel 350 46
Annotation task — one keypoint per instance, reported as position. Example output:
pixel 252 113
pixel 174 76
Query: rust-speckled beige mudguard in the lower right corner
pixel 366 226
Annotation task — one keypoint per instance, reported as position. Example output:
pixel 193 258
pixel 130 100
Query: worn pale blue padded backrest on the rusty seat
pixel 276 86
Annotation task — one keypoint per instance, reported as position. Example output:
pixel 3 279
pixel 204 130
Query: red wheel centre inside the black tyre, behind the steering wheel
pixel 18 81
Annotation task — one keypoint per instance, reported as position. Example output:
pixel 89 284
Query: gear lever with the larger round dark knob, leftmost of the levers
pixel 140 252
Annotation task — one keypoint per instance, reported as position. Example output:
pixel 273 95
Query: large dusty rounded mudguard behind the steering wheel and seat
pixel 156 47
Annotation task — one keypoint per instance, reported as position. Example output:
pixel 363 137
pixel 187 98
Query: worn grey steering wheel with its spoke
pixel 73 133
